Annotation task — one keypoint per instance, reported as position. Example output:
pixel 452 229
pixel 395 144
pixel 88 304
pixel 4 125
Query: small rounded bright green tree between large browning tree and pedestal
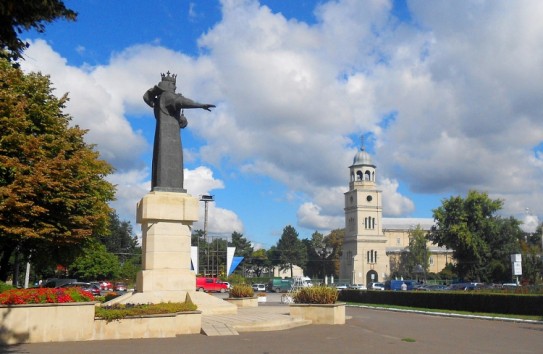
pixel 95 263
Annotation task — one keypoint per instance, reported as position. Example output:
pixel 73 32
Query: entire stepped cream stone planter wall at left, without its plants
pixel 38 323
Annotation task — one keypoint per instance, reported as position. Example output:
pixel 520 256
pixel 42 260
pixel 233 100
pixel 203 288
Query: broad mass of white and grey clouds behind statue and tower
pixel 454 101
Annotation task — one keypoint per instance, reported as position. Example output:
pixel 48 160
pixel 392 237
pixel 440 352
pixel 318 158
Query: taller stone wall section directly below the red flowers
pixel 36 323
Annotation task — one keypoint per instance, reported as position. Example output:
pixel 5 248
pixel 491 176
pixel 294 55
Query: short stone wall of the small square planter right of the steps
pixel 319 314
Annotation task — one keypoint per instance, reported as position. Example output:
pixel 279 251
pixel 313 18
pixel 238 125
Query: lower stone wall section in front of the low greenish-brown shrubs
pixel 156 326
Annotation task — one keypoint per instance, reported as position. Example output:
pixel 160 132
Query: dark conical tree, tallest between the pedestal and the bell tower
pixel 291 250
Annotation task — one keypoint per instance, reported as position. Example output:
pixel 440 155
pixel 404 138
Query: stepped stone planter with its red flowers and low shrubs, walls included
pixel 62 315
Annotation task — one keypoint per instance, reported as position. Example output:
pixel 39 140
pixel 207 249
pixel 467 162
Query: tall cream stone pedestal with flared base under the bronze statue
pixel 166 275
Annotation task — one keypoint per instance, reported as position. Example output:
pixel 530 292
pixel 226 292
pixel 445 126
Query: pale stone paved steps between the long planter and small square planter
pixel 255 319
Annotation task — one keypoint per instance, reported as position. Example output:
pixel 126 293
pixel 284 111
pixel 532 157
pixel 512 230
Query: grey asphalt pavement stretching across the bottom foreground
pixel 368 331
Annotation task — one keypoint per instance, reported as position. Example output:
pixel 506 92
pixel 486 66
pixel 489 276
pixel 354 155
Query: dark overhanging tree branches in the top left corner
pixel 19 15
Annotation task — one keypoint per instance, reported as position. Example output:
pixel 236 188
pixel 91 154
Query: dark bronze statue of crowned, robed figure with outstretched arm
pixel 167 175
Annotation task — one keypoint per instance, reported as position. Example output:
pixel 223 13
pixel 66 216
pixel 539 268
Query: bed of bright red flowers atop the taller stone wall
pixel 44 296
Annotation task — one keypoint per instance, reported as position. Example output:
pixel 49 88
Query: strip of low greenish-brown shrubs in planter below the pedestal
pixel 119 311
